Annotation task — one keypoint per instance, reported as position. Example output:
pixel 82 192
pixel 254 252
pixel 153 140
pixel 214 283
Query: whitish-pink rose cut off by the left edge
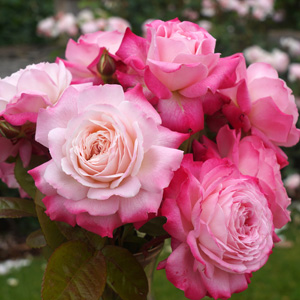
pixel 37 86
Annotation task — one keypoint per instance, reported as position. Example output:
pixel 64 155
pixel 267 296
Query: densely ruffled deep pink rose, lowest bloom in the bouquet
pixel 221 229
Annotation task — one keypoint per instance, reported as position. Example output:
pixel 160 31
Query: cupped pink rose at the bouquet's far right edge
pixel 263 103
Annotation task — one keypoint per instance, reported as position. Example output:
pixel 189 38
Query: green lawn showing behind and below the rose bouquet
pixel 278 280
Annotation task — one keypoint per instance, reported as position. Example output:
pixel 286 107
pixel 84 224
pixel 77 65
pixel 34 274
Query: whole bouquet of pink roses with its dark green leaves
pixel 129 141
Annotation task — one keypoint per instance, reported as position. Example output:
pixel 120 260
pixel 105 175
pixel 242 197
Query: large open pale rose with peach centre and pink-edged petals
pixel 111 158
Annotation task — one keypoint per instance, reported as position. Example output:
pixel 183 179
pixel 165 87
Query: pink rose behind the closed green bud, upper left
pixel 82 57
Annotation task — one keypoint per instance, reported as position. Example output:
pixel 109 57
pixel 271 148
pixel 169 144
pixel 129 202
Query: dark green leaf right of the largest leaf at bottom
pixel 125 275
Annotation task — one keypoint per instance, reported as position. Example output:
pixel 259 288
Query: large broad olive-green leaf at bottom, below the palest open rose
pixel 74 272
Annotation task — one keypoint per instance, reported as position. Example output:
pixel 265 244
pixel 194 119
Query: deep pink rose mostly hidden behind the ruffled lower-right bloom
pixel 254 159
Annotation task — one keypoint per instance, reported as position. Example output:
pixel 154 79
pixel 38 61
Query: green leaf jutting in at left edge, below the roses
pixel 16 207
